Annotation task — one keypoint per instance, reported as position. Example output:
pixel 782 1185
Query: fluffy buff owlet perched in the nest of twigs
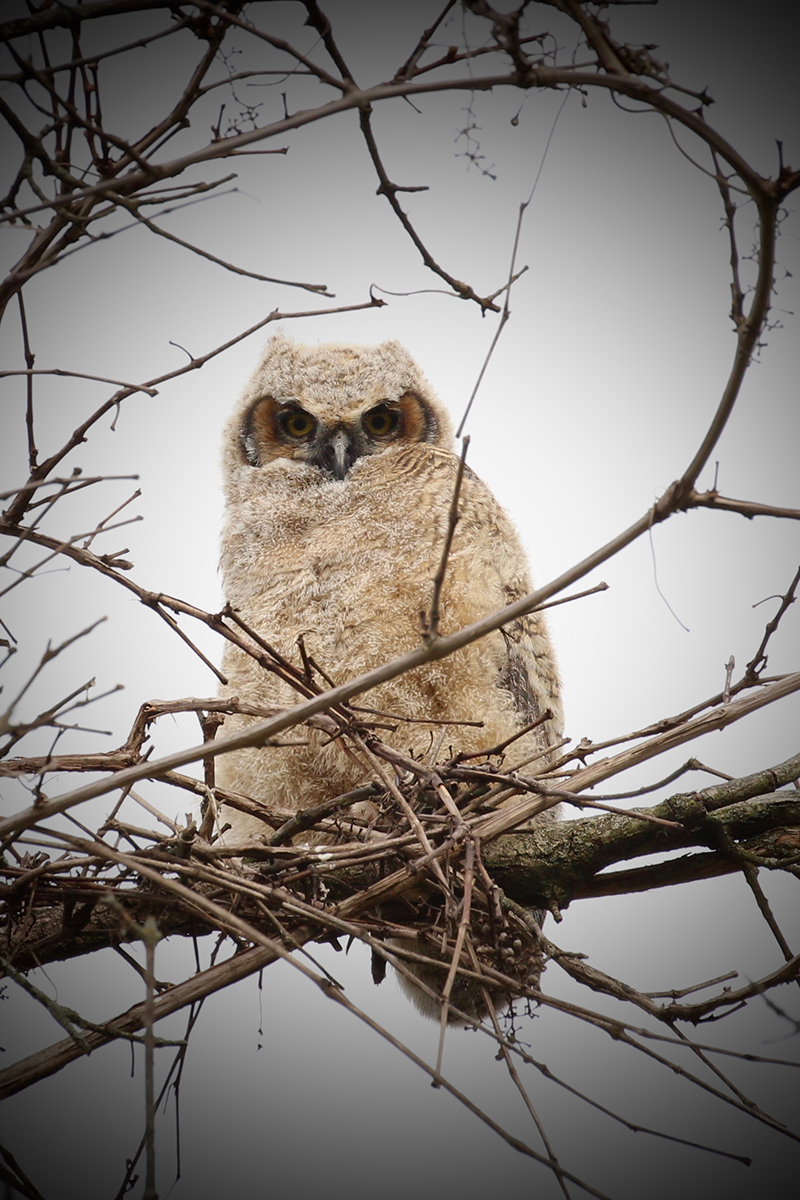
pixel 340 473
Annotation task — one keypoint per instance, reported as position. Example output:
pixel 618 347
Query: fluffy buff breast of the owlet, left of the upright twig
pixel 346 562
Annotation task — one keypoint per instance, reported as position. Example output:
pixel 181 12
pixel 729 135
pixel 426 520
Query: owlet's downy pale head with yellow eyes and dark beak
pixel 329 406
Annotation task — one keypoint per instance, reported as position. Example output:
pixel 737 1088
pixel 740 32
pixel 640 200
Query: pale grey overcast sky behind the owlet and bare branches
pixel 601 388
